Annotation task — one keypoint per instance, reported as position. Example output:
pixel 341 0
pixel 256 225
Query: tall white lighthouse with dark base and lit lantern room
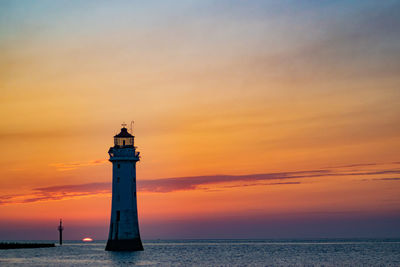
pixel 124 227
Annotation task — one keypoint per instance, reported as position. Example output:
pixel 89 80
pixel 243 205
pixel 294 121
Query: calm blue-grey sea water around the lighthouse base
pixel 328 252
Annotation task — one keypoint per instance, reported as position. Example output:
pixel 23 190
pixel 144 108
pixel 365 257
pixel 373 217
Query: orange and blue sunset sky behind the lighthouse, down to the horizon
pixel 254 119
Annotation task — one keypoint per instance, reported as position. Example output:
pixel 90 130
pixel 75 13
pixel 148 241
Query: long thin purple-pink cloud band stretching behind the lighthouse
pixel 166 185
